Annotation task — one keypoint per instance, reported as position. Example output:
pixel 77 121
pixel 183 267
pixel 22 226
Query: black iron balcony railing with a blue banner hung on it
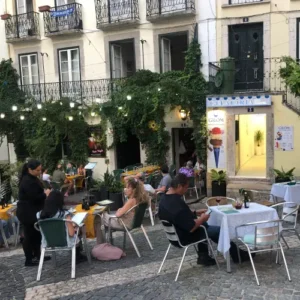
pixel 63 18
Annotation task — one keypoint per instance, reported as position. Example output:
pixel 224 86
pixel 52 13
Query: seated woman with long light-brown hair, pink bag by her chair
pixel 136 194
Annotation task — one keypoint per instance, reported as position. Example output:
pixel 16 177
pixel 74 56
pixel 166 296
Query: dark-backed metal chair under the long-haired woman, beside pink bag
pixel 136 223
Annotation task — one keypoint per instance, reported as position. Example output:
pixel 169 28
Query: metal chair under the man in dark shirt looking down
pixel 173 238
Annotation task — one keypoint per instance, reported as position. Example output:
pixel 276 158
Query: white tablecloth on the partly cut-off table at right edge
pixel 289 193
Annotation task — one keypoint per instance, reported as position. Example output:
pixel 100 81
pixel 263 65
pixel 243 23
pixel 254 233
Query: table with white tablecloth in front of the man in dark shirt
pixel 230 219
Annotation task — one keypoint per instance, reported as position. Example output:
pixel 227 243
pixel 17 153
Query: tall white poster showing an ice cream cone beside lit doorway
pixel 216 156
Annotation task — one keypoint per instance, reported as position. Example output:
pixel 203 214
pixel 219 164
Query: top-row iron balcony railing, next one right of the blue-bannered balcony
pixel 115 11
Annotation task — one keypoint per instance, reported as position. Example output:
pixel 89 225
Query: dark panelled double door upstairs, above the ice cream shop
pixel 246 47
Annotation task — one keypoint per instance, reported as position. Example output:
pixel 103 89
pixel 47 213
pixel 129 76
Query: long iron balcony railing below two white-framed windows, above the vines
pixel 86 91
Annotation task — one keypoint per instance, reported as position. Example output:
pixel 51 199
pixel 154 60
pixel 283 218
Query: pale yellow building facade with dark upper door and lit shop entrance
pixel 252 118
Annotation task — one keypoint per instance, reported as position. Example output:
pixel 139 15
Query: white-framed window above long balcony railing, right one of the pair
pixel 69 65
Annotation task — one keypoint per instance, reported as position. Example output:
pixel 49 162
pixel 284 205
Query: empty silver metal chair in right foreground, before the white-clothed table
pixel 264 239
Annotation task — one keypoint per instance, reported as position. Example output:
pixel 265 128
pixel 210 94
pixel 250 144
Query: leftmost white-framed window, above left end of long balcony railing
pixel 29 69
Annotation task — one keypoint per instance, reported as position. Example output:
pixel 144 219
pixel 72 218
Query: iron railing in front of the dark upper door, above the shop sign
pixel 250 76
